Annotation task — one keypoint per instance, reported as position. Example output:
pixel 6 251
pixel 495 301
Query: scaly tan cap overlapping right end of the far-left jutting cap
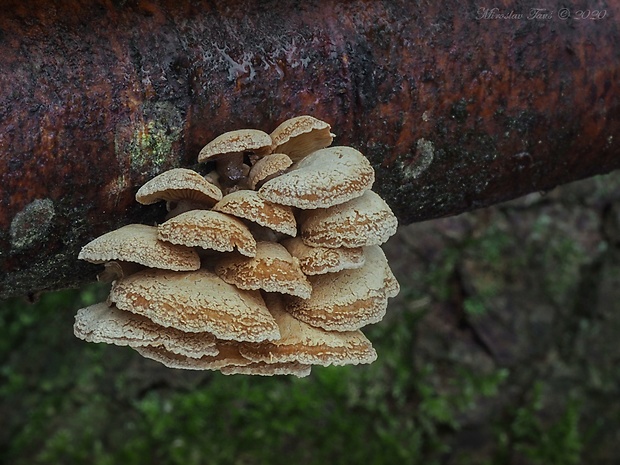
pixel 208 230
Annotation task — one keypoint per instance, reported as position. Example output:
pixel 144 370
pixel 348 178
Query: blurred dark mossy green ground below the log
pixel 502 348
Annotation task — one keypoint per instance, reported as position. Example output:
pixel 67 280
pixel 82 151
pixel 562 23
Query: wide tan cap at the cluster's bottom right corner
pixel 305 344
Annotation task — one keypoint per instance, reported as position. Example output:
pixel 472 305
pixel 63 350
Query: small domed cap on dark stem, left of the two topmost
pixel 242 140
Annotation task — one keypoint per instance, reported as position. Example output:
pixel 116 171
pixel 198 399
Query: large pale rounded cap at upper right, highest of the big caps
pixel 324 178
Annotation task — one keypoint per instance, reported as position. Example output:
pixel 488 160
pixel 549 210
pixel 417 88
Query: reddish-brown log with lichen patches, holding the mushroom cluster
pixel 457 106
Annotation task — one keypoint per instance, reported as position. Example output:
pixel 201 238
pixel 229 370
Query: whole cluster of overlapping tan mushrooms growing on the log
pixel 268 264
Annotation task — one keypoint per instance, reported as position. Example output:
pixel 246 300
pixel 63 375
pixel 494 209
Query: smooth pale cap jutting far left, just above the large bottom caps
pixel 138 243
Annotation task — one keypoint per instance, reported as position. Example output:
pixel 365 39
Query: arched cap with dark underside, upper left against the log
pixel 179 184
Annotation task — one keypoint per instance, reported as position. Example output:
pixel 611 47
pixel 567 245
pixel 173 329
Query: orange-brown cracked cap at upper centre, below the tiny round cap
pixel 248 205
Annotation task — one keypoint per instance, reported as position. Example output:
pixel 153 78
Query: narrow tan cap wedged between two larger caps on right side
pixel 321 260
